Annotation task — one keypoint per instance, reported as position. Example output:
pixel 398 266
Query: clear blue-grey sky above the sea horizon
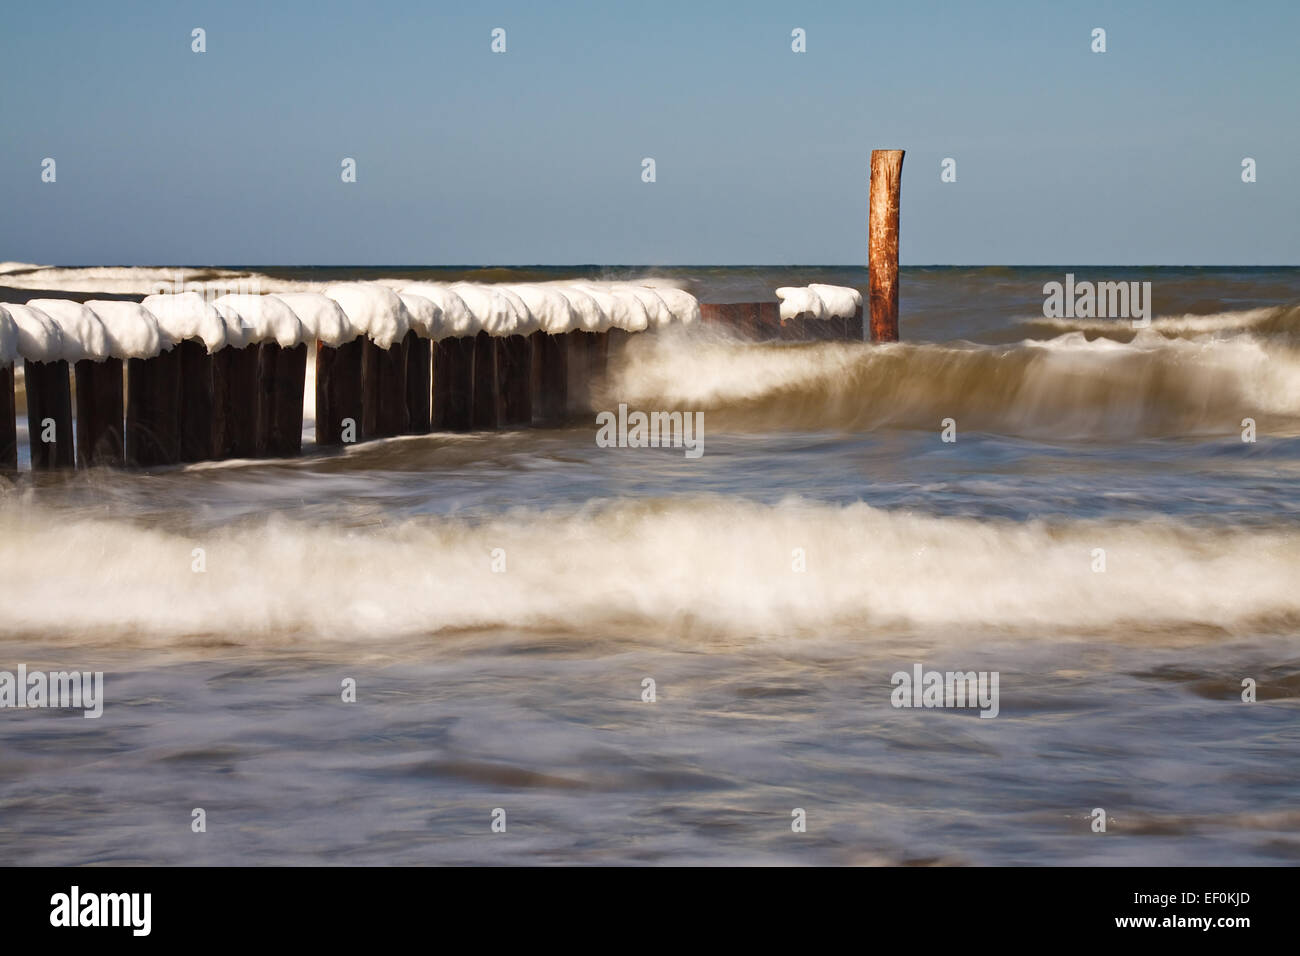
pixel 466 157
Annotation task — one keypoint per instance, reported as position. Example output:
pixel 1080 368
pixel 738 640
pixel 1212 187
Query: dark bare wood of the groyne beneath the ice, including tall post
pixel 188 405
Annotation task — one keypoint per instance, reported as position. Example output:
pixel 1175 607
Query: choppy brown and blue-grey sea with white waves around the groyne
pixel 522 687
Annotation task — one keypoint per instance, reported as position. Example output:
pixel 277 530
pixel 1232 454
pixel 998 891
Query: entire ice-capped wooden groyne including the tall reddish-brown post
pixel 179 379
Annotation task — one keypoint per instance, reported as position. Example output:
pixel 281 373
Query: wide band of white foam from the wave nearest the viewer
pixel 675 568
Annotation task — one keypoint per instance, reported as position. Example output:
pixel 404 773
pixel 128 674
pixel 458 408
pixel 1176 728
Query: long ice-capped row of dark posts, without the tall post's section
pixel 226 379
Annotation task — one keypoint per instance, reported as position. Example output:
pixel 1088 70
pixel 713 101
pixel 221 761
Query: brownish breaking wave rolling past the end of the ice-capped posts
pixel 1063 388
